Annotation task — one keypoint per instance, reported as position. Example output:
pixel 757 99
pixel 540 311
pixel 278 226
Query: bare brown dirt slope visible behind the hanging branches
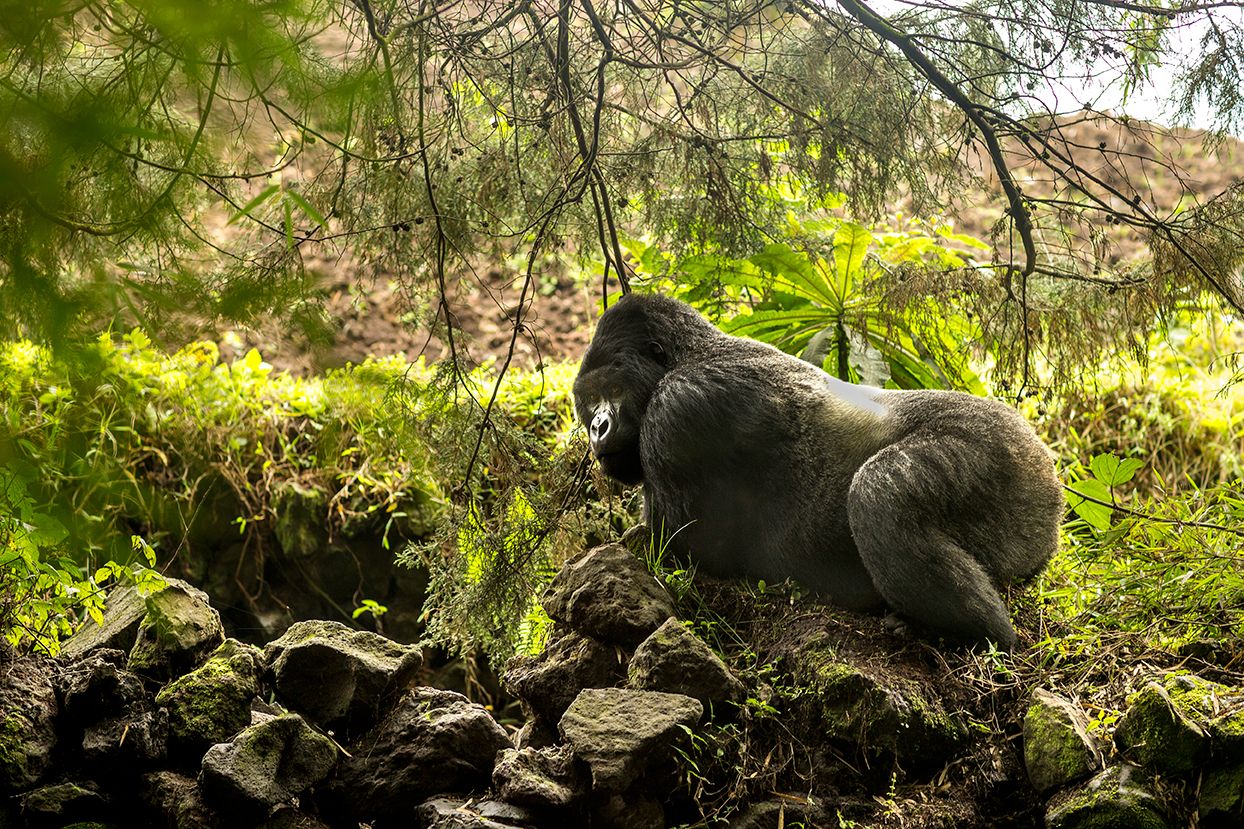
pixel 375 318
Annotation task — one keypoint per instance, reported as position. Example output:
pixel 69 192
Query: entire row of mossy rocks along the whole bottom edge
pixel 157 720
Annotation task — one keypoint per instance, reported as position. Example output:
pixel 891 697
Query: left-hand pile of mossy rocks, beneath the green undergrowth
pixel 156 720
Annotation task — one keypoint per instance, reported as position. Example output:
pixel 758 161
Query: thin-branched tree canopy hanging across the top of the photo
pixel 171 156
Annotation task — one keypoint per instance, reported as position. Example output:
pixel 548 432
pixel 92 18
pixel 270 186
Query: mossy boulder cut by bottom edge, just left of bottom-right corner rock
pixel 1118 799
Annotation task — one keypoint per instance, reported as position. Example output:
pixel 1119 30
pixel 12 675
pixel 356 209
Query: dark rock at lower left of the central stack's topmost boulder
pixel 549 683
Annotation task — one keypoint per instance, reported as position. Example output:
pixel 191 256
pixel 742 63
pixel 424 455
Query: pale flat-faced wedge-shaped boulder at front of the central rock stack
pixel 620 733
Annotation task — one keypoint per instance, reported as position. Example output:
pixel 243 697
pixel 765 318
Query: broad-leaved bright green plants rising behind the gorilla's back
pixel 837 297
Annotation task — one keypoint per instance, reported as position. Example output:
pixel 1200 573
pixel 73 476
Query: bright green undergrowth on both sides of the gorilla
pixel 125 450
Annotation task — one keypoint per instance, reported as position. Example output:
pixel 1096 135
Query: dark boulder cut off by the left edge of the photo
pixel 28 724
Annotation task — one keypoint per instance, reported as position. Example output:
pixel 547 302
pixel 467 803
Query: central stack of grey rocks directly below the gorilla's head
pixel 595 752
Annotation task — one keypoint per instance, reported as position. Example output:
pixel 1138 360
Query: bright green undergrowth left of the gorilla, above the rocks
pixel 123 456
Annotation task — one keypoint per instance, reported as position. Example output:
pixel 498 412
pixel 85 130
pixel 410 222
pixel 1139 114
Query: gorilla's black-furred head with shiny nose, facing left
pixel 636 343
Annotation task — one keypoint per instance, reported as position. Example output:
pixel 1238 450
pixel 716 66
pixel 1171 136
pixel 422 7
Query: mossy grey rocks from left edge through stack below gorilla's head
pixel 156 719
